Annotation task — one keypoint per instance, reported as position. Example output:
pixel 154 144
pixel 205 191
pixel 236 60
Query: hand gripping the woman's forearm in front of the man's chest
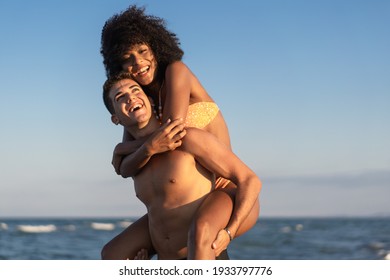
pixel 167 138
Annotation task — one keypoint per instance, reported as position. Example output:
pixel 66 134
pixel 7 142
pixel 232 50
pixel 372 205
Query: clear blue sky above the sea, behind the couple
pixel 304 87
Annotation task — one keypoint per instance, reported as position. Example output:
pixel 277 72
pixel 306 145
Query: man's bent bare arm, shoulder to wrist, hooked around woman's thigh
pixel 216 157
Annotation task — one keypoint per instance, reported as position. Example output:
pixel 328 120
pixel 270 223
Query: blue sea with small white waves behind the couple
pixel 269 239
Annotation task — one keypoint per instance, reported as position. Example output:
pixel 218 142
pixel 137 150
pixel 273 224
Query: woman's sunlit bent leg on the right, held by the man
pixel 212 216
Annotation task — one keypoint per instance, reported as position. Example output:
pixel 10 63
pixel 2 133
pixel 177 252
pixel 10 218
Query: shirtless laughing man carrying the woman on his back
pixel 174 184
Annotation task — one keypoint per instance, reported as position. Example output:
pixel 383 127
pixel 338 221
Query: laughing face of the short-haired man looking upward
pixel 131 105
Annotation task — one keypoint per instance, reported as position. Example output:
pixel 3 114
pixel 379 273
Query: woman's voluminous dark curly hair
pixel 131 27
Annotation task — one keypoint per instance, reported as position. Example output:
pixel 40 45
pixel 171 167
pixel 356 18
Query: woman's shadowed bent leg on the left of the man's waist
pixel 129 242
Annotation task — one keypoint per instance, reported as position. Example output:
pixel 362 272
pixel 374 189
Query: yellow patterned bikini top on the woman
pixel 200 114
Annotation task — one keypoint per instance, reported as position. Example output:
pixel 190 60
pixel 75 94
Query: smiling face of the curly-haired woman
pixel 140 62
